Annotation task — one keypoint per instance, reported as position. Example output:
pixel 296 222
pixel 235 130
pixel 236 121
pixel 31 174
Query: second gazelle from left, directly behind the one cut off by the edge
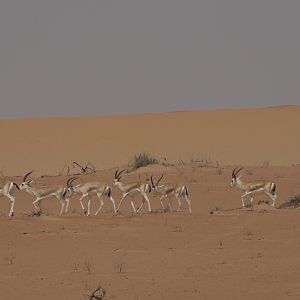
pixel 58 191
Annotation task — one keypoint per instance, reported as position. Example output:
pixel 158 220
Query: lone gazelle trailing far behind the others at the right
pixel 252 188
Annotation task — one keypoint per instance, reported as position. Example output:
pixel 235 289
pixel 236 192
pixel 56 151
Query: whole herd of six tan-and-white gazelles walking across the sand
pixel 64 192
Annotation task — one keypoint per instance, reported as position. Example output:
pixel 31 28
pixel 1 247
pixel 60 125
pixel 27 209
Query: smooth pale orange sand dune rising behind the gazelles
pixel 247 137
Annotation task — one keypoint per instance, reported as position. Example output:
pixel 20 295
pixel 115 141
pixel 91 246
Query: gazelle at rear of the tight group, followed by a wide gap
pixel 168 191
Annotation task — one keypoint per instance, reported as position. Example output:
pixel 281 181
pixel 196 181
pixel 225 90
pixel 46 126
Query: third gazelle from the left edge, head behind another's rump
pixel 87 189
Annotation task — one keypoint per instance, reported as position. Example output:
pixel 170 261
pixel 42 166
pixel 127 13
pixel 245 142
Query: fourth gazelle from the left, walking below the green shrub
pixel 131 190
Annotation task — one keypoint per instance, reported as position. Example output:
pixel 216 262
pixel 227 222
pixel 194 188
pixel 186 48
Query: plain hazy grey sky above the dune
pixel 75 57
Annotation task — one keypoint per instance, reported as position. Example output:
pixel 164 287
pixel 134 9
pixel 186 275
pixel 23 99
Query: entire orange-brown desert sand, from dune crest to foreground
pixel 220 251
